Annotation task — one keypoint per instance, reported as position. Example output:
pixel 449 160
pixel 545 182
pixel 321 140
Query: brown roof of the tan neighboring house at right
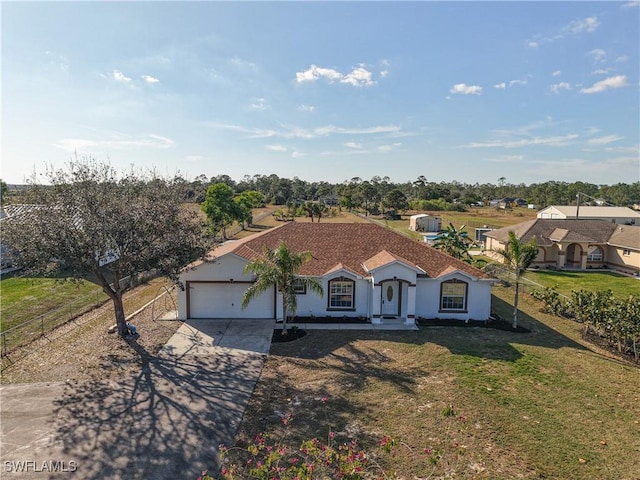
pixel 548 231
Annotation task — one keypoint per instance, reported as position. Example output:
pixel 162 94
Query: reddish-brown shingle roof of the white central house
pixel 349 246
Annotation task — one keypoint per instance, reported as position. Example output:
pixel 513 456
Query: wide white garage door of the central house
pixel 224 300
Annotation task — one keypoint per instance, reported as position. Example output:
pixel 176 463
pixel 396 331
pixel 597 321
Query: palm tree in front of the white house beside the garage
pixel 279 267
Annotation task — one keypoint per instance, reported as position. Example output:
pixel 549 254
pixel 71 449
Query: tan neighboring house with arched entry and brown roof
pixel 576 244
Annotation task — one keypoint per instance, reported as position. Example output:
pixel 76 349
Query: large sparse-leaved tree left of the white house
pixel 90 222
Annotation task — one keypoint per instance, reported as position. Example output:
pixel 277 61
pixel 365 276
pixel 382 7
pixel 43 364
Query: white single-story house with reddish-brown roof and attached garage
pixel 366 270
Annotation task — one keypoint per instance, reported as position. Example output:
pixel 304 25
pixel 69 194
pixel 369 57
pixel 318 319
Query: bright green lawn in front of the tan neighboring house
pixel 565 281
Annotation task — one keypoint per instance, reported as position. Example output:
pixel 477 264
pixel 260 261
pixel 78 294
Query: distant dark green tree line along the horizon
pixel 420 194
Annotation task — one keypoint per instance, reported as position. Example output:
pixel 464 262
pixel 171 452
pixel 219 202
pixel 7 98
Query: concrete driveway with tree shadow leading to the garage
pixel 164 422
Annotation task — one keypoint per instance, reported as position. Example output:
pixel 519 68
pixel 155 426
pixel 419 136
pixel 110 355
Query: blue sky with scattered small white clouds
pixel 466 91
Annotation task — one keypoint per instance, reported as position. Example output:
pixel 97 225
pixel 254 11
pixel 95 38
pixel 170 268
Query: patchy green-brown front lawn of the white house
pixel 537 405
